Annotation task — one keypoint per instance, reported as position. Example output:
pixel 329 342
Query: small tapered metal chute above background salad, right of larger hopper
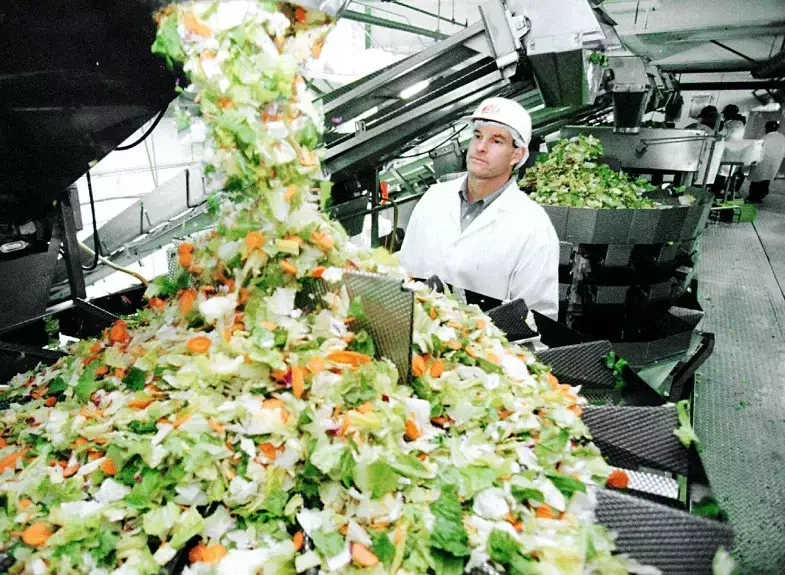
pixel 631 90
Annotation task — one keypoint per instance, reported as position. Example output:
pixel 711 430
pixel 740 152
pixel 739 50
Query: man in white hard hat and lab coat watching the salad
pixel 480 232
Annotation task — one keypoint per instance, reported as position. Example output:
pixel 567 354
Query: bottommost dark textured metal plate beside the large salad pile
pixel 674 541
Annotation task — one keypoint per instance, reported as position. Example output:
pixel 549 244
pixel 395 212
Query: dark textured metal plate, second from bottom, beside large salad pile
pixel 631 437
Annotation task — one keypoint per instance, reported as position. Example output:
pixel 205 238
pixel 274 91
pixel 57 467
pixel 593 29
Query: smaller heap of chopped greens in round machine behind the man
pixel 569 175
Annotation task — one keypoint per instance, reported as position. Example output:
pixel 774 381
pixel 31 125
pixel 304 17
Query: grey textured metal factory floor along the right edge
pixel 740 392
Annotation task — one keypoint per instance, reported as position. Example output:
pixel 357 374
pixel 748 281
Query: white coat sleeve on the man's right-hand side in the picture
pixel 535 278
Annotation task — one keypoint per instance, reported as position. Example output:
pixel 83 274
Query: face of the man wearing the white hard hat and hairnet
pixel 492 152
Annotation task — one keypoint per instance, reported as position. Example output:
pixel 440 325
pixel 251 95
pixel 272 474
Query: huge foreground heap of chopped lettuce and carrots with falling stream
pixel 227 423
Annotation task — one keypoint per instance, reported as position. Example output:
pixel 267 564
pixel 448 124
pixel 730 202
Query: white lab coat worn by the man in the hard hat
pixel 509 251
